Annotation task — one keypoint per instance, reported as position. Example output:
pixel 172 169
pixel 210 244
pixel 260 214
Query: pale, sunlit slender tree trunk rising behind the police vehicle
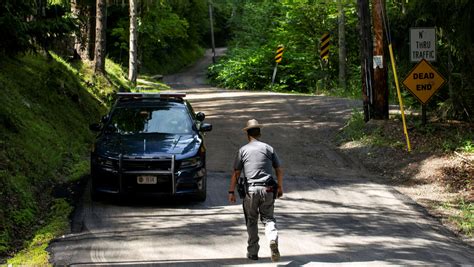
pixel 133 62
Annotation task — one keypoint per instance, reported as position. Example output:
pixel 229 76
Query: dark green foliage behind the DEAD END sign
pixel 455 31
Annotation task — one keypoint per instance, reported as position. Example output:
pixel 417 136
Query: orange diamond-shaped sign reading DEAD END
pixel 423 81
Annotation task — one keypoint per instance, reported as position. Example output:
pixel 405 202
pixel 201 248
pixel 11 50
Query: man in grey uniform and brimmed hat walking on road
pixel 255 161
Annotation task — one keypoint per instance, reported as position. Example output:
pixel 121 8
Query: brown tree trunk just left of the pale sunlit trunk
pixel 101 24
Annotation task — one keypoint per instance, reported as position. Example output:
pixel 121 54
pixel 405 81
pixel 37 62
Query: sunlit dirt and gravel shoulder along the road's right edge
pixel 429 177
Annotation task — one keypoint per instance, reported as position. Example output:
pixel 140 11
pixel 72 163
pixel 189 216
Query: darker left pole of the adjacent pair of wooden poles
pixel 366 52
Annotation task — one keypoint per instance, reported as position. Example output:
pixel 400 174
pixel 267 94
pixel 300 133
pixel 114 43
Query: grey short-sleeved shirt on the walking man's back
pixel 256 159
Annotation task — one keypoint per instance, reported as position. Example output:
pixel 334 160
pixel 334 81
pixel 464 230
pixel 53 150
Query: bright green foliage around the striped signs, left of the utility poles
pixel 259 27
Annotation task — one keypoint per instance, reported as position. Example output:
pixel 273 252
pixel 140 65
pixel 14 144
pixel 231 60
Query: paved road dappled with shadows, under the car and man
pixel 331 214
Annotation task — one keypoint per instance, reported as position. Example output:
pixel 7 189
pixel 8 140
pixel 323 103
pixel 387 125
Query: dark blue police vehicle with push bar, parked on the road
pixel 150 144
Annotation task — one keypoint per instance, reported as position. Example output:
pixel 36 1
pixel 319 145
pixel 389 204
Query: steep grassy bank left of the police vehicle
pixel 46 106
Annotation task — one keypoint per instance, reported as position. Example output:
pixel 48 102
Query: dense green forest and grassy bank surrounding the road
pixel 59 53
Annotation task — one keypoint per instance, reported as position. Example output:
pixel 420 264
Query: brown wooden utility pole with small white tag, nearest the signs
pixel 380 107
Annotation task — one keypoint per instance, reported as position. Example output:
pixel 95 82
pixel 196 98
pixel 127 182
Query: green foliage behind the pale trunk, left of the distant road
pixel 170 34
